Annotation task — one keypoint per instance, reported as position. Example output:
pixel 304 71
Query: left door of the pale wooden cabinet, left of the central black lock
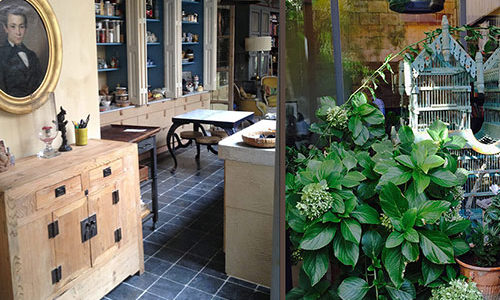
pixel 72 254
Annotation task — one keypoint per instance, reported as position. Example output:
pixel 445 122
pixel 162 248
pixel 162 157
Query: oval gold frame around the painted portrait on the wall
pixel 24 105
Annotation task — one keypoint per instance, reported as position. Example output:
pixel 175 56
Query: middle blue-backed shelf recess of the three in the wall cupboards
pixel 156 73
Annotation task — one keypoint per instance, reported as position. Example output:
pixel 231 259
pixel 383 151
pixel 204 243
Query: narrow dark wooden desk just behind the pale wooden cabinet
pixel 145 137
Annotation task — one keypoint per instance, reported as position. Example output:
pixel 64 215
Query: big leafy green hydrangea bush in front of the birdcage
pixel 374 208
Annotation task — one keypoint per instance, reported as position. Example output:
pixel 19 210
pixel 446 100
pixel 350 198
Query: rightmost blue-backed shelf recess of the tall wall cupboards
pixel 196 66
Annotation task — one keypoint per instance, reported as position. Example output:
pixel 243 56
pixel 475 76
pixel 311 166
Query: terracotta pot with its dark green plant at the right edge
pixel 482 264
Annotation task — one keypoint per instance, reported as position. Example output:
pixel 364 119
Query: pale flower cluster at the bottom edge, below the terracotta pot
pixel 458 289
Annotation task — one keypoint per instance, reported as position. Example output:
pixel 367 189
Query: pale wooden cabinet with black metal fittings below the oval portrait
pixel 70 226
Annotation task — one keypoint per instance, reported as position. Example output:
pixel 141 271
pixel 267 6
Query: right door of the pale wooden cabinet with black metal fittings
pixel 104 204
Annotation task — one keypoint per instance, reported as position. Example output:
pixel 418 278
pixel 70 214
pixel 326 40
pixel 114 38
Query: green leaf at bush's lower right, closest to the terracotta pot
pixel 436 247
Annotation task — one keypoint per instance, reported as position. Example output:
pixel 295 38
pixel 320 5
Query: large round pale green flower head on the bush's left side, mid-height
pixel 315 200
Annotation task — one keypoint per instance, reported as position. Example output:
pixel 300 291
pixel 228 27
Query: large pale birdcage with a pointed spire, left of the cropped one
pixel 438 83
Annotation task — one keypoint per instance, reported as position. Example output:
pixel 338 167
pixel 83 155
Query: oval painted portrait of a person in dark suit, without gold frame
pixel 24 50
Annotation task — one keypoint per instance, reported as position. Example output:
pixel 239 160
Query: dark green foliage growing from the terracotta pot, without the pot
pixel 486 237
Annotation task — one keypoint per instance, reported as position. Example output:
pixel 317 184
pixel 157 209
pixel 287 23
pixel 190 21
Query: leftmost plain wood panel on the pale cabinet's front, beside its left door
pixel 33 265
